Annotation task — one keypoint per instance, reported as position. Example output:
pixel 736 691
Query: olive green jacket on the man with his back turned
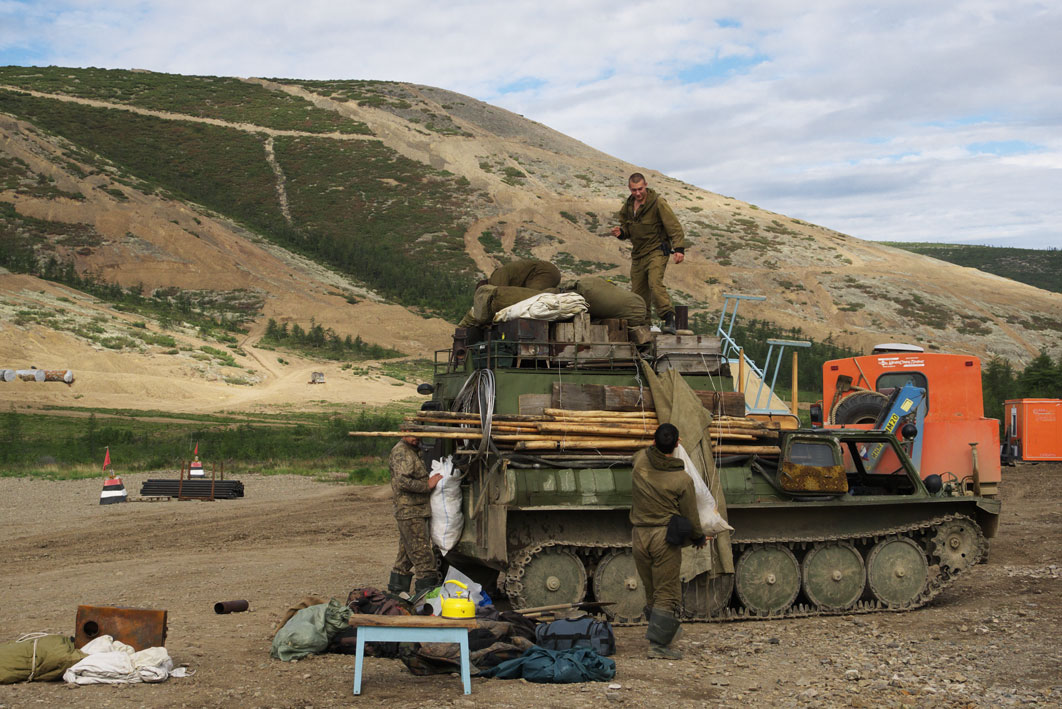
pixel 661 489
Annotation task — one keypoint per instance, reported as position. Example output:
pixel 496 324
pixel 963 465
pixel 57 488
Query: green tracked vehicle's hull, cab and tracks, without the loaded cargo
pixel 816 532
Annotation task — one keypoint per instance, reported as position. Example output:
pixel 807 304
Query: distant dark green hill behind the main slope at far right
pixel 1036 267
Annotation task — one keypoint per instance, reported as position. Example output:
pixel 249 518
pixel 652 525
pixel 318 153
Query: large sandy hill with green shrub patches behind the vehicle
pixel 161 232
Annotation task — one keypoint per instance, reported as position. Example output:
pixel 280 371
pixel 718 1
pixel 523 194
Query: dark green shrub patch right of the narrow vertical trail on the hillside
pixel 395 223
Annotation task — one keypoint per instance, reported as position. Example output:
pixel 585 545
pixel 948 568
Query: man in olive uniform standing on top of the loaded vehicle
pixel 655 232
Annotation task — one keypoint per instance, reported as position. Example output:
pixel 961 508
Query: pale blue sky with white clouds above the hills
pixel 893 122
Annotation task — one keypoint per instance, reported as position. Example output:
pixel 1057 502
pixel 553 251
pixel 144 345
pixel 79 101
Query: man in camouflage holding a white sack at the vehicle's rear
pixel 412 488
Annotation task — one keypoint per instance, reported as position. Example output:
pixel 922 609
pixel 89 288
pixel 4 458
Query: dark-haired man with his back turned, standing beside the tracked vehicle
pixel 661 490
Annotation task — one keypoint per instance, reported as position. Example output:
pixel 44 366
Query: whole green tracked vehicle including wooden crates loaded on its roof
pixel 830 522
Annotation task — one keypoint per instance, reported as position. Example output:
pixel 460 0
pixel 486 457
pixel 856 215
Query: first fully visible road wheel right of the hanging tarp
pixel 767 579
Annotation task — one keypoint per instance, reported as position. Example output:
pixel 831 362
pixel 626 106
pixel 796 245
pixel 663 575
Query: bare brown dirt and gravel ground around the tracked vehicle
pixel 994 639
